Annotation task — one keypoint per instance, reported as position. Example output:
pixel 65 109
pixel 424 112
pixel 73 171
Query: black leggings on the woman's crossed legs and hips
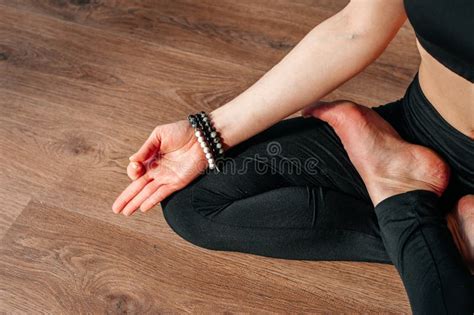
pixel 292 192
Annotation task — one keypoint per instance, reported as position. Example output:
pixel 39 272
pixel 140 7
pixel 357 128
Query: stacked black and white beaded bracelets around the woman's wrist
pixel 208 138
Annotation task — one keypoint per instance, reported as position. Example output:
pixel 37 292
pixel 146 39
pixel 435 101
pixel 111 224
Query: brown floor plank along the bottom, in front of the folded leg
pixel 58 261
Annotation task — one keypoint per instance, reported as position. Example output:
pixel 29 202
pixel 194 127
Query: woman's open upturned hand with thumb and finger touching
pixel 168 160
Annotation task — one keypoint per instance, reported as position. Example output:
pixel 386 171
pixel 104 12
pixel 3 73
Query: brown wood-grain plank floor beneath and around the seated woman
pixel 82 83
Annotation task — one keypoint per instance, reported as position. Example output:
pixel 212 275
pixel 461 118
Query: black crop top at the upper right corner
pixel 445 29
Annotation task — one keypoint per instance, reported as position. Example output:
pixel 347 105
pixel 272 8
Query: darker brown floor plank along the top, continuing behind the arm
pixel 179 26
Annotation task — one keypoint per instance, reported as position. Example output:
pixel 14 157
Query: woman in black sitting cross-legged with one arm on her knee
pixel 379 182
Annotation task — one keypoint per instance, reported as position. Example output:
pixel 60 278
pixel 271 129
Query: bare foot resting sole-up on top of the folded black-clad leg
pixel 387 164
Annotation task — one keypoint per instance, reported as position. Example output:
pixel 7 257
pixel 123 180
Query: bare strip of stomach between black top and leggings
pixel 450 94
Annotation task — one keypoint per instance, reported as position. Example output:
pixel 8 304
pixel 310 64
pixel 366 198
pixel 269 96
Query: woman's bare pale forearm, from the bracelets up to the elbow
pixel 332 53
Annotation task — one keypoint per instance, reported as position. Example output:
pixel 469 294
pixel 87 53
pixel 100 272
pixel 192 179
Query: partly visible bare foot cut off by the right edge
pixel 461 225
